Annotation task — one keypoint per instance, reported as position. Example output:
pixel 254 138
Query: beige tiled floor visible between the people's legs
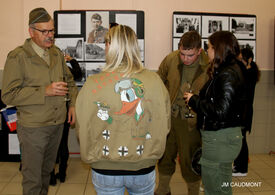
pixel 261 174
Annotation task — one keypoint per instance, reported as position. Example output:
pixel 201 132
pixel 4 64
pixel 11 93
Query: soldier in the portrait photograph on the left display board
pixel 98 33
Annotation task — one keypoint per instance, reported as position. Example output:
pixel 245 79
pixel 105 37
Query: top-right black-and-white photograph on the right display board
pixel 243 27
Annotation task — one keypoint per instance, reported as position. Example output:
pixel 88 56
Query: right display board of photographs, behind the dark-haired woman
pixel 242 25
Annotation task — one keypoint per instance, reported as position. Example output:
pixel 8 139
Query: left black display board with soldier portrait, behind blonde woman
pixel 80 33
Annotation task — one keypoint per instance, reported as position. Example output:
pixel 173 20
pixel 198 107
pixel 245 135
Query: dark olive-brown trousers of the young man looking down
pixel 182 142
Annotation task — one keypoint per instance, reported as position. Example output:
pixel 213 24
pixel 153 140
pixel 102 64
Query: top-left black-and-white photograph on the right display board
pixel 185 23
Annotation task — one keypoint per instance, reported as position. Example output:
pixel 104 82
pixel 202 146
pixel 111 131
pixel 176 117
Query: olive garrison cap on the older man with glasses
pixel 38 15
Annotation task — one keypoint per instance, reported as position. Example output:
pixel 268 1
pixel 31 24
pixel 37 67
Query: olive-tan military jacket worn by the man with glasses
pixel 25 78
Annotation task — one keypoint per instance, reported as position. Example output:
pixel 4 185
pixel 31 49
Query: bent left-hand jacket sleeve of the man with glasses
pixel 13 90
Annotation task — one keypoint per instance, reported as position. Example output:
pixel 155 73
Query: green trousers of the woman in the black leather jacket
pixel 219 150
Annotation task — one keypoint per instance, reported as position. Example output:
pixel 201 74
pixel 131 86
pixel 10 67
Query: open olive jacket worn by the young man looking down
pixel 170 71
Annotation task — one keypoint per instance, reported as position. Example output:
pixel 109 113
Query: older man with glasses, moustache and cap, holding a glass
pixel 36 80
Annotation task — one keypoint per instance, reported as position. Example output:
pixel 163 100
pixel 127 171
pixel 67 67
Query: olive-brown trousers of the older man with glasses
pixel 38 149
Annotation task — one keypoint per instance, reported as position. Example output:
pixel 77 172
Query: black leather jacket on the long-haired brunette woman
pixel 222 101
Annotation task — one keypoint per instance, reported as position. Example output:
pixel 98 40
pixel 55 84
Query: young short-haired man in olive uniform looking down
pixel 182 70
